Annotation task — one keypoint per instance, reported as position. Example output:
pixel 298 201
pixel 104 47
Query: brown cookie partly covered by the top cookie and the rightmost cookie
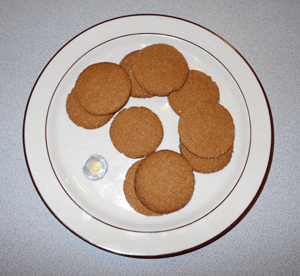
pixel 198 87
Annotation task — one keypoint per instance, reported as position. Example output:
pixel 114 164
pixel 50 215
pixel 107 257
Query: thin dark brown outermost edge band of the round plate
pixel 234 223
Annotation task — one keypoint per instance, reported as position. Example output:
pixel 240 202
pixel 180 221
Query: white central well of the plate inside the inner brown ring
pixel 69 145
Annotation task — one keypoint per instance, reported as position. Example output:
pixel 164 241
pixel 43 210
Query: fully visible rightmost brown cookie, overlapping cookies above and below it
pixel 206 129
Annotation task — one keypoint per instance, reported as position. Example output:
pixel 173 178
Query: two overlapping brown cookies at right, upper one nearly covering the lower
pixel 206 132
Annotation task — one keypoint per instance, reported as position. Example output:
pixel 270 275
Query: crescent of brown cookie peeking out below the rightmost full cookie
pixel 206 165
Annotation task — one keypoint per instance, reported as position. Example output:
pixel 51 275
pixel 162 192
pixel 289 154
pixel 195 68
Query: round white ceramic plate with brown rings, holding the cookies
pixel 97 210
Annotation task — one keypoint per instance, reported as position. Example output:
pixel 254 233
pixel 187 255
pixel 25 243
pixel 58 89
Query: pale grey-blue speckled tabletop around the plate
pixel 265 242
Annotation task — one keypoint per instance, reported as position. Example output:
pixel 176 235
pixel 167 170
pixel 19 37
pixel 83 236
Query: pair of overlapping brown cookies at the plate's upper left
pixel 100 91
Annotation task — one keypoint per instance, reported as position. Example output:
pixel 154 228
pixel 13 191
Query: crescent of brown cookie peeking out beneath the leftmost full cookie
pixel 81 117
